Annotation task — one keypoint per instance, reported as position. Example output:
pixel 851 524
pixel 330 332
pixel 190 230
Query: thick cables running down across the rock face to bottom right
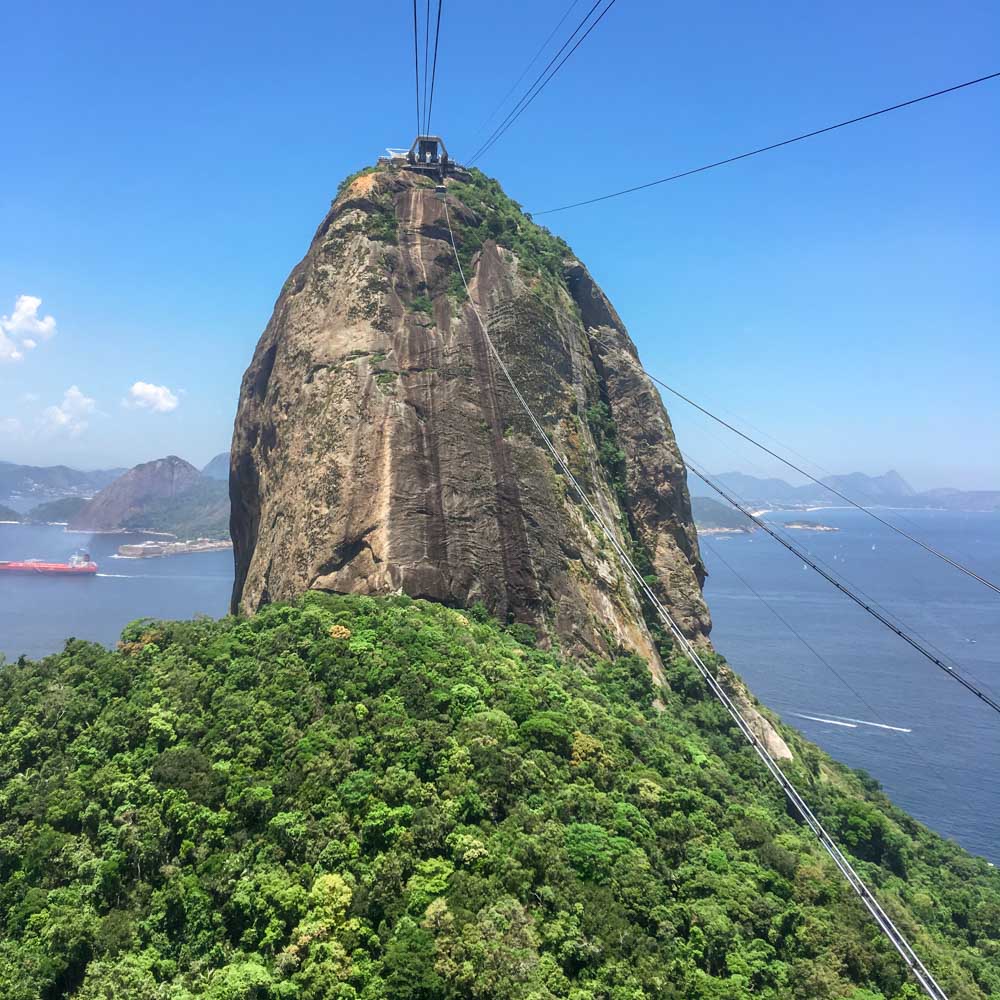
pixel 898 940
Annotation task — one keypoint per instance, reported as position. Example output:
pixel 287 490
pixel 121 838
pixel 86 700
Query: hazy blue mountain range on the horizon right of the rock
pixel 889 490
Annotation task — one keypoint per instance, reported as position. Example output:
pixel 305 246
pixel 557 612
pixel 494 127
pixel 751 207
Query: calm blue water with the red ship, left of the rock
pixel 37 614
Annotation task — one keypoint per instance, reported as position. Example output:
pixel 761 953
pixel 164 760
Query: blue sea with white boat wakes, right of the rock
pixel 945 768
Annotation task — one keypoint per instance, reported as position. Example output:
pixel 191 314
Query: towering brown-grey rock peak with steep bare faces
pixel 376 448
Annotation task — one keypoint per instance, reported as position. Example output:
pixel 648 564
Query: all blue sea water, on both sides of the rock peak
pixel 943 769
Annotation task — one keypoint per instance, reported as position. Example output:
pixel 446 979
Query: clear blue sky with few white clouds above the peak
pixel 165 166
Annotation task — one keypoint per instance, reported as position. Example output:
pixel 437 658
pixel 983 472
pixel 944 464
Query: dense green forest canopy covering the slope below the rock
pixel 353 797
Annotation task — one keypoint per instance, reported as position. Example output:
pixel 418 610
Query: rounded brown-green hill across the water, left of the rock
pixel 167 495
